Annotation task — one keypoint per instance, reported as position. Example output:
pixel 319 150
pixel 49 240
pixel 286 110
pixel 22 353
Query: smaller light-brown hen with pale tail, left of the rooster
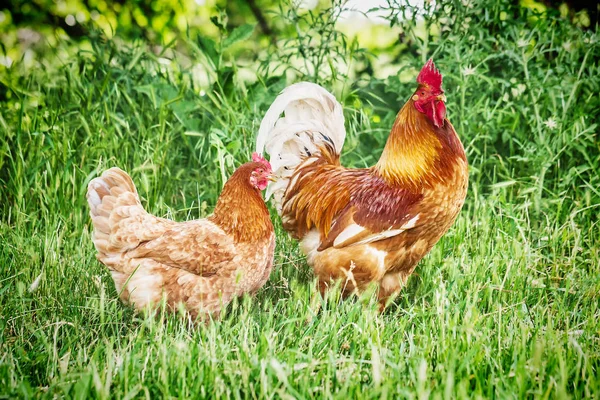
pixel 201 264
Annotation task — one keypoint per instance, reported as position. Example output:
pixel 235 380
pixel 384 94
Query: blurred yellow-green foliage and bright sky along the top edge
pixel 29 28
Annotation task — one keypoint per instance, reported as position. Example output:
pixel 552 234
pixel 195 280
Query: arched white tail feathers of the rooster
pixel 312 125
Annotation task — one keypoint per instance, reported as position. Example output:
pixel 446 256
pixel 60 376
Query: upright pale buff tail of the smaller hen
pixel 120 222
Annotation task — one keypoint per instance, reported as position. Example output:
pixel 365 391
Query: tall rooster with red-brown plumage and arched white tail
pixel 368 225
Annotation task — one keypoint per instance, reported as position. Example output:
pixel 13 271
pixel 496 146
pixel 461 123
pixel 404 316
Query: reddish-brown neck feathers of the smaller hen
pixel 240 210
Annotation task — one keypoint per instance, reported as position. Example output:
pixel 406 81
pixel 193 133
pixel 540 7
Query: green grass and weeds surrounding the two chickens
pixel 507 304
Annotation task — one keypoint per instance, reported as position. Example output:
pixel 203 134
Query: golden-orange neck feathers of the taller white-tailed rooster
pixel 417 154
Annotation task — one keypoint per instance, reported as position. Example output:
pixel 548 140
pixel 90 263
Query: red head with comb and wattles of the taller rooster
pixel 429 97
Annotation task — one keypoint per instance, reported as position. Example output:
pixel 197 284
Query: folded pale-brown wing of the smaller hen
pixel 200 247
